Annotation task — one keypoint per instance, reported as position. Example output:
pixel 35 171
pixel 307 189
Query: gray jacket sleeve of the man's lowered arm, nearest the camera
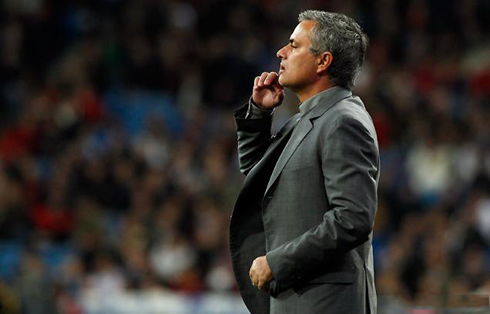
pixel 350 165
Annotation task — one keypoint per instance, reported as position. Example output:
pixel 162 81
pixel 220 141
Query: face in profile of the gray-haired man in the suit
pixel 298 68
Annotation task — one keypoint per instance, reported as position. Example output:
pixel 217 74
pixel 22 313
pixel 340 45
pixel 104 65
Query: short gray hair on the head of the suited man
pixel 343 38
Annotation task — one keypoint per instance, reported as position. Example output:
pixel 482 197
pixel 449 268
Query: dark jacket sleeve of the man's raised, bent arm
pixel 254 133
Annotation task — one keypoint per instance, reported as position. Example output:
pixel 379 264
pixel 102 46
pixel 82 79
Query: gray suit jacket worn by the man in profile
pixel 308 203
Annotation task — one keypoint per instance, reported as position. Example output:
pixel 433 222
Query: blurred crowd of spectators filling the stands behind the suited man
pixel 118 165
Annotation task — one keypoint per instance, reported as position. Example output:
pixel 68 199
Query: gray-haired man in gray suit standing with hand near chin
pixel 301 230
